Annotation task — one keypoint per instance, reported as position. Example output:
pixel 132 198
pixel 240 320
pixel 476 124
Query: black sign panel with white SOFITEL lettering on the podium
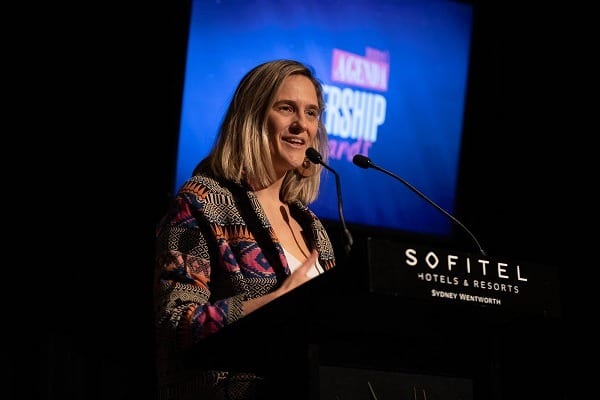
pixel 445 275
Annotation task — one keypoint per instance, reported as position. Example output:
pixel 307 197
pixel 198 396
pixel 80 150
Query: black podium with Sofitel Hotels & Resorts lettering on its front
pixel 397 321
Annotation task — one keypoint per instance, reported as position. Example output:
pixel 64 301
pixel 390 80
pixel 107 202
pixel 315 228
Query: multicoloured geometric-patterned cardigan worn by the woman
pixel 215 248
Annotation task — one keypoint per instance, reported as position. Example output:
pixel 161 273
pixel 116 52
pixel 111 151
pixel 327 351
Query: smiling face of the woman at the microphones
pixel 292 122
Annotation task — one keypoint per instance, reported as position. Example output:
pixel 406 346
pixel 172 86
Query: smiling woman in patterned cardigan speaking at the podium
pixel 240 234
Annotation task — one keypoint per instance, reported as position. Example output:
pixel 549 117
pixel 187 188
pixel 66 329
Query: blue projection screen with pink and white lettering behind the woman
pixel 395 81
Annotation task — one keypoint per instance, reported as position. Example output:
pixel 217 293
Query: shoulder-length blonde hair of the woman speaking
pixel 242 150
